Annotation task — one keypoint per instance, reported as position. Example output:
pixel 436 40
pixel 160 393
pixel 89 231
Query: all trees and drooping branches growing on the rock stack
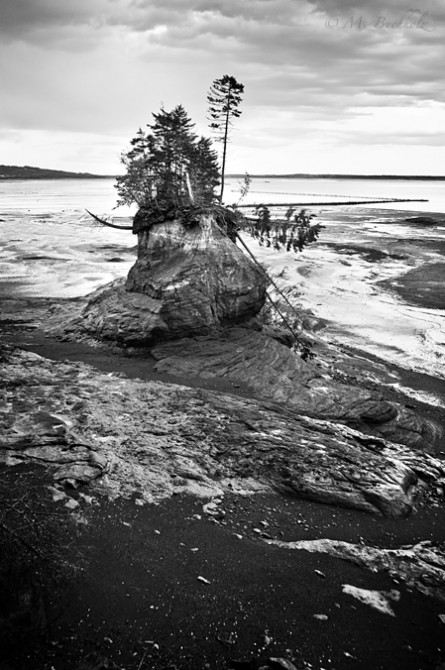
pixel 171 174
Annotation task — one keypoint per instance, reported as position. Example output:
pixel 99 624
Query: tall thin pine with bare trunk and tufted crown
pixel 224 98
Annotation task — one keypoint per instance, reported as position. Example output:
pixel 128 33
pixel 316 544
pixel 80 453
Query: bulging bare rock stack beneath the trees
pixel 185 281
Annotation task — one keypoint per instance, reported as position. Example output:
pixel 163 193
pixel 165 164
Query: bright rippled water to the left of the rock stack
pixel 49 246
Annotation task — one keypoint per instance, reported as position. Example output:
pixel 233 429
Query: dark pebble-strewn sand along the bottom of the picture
pixel 167 586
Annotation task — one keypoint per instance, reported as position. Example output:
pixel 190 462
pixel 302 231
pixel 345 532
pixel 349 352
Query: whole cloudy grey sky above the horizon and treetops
pixel 331 86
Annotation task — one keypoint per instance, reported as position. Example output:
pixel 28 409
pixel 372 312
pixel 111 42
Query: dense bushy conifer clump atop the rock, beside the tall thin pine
pixel 169 165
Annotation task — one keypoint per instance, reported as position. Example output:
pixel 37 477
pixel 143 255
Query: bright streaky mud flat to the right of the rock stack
pixel 375 279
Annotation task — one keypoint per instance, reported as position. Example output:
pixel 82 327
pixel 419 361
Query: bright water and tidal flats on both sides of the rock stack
pixel 49 247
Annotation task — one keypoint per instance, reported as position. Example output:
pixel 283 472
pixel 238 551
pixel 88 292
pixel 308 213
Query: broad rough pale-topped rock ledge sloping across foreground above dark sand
pixel 130 437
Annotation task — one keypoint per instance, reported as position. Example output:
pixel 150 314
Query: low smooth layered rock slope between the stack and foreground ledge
pixel 270 370
